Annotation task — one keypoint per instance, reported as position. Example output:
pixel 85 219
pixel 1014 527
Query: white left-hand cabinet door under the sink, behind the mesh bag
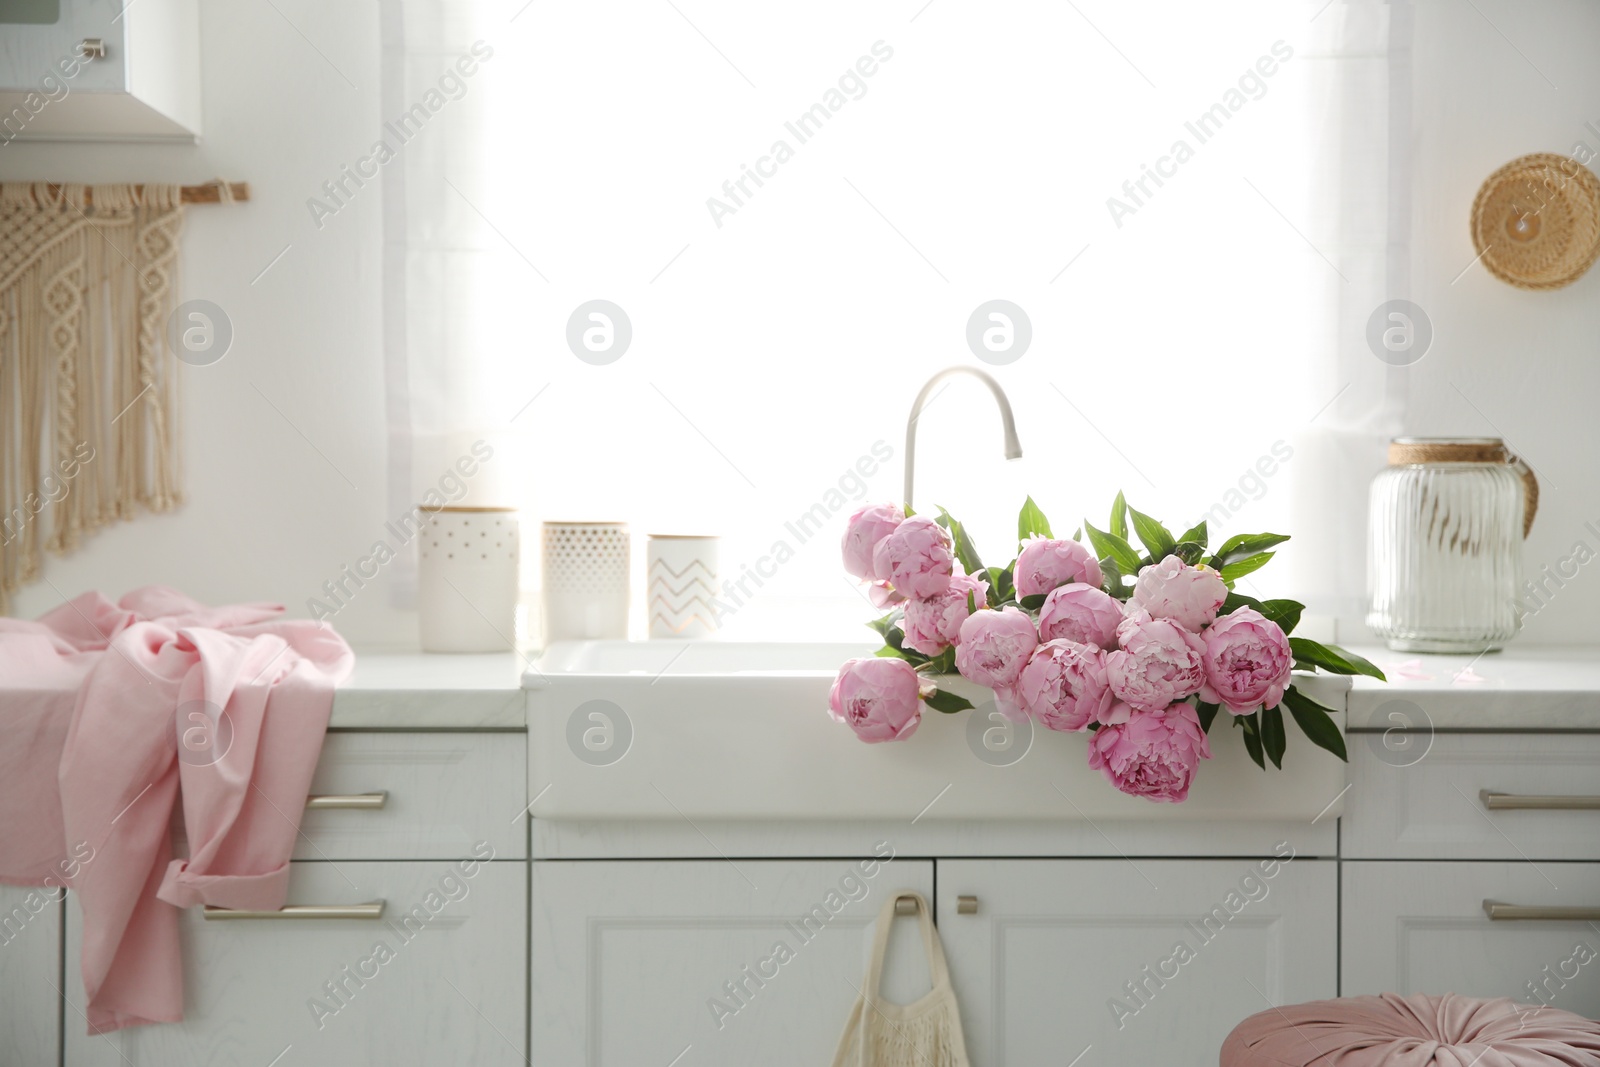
pixel 650 962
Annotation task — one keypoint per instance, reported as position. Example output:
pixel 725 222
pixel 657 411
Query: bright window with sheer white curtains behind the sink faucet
pixel 801 207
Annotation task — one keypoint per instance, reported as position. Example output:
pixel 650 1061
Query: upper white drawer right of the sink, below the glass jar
pixel 1423 802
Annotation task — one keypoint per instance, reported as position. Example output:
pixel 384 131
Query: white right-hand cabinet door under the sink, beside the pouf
pixel 1106 962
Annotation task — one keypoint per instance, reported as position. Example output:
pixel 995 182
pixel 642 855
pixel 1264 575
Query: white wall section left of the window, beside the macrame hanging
pixel 268 519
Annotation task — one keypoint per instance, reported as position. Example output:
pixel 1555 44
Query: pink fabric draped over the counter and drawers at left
pixel 114 711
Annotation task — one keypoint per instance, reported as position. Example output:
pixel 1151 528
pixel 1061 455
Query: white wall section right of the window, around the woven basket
pixel 1527 366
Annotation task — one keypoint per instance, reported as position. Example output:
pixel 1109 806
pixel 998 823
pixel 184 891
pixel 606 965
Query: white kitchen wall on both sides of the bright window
pixel 270 518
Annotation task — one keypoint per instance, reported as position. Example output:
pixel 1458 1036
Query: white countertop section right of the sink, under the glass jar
pixel 1527 687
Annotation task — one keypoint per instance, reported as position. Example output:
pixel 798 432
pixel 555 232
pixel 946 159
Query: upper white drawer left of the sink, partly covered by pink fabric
pixel 417 796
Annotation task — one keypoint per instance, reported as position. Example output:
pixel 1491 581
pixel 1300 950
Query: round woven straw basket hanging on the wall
pixel 1537 222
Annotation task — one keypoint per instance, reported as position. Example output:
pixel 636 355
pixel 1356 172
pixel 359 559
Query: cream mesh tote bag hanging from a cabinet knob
pixel 922 1034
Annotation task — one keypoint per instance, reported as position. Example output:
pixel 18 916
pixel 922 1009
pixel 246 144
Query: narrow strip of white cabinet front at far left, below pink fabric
pixel 30 975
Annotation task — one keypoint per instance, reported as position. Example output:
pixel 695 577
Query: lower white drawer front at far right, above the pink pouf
pixel 1423 929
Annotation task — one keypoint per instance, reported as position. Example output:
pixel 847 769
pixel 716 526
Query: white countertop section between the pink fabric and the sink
pixel 420 692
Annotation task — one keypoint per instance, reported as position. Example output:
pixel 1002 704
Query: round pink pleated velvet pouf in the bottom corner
pixel 1420 1031
